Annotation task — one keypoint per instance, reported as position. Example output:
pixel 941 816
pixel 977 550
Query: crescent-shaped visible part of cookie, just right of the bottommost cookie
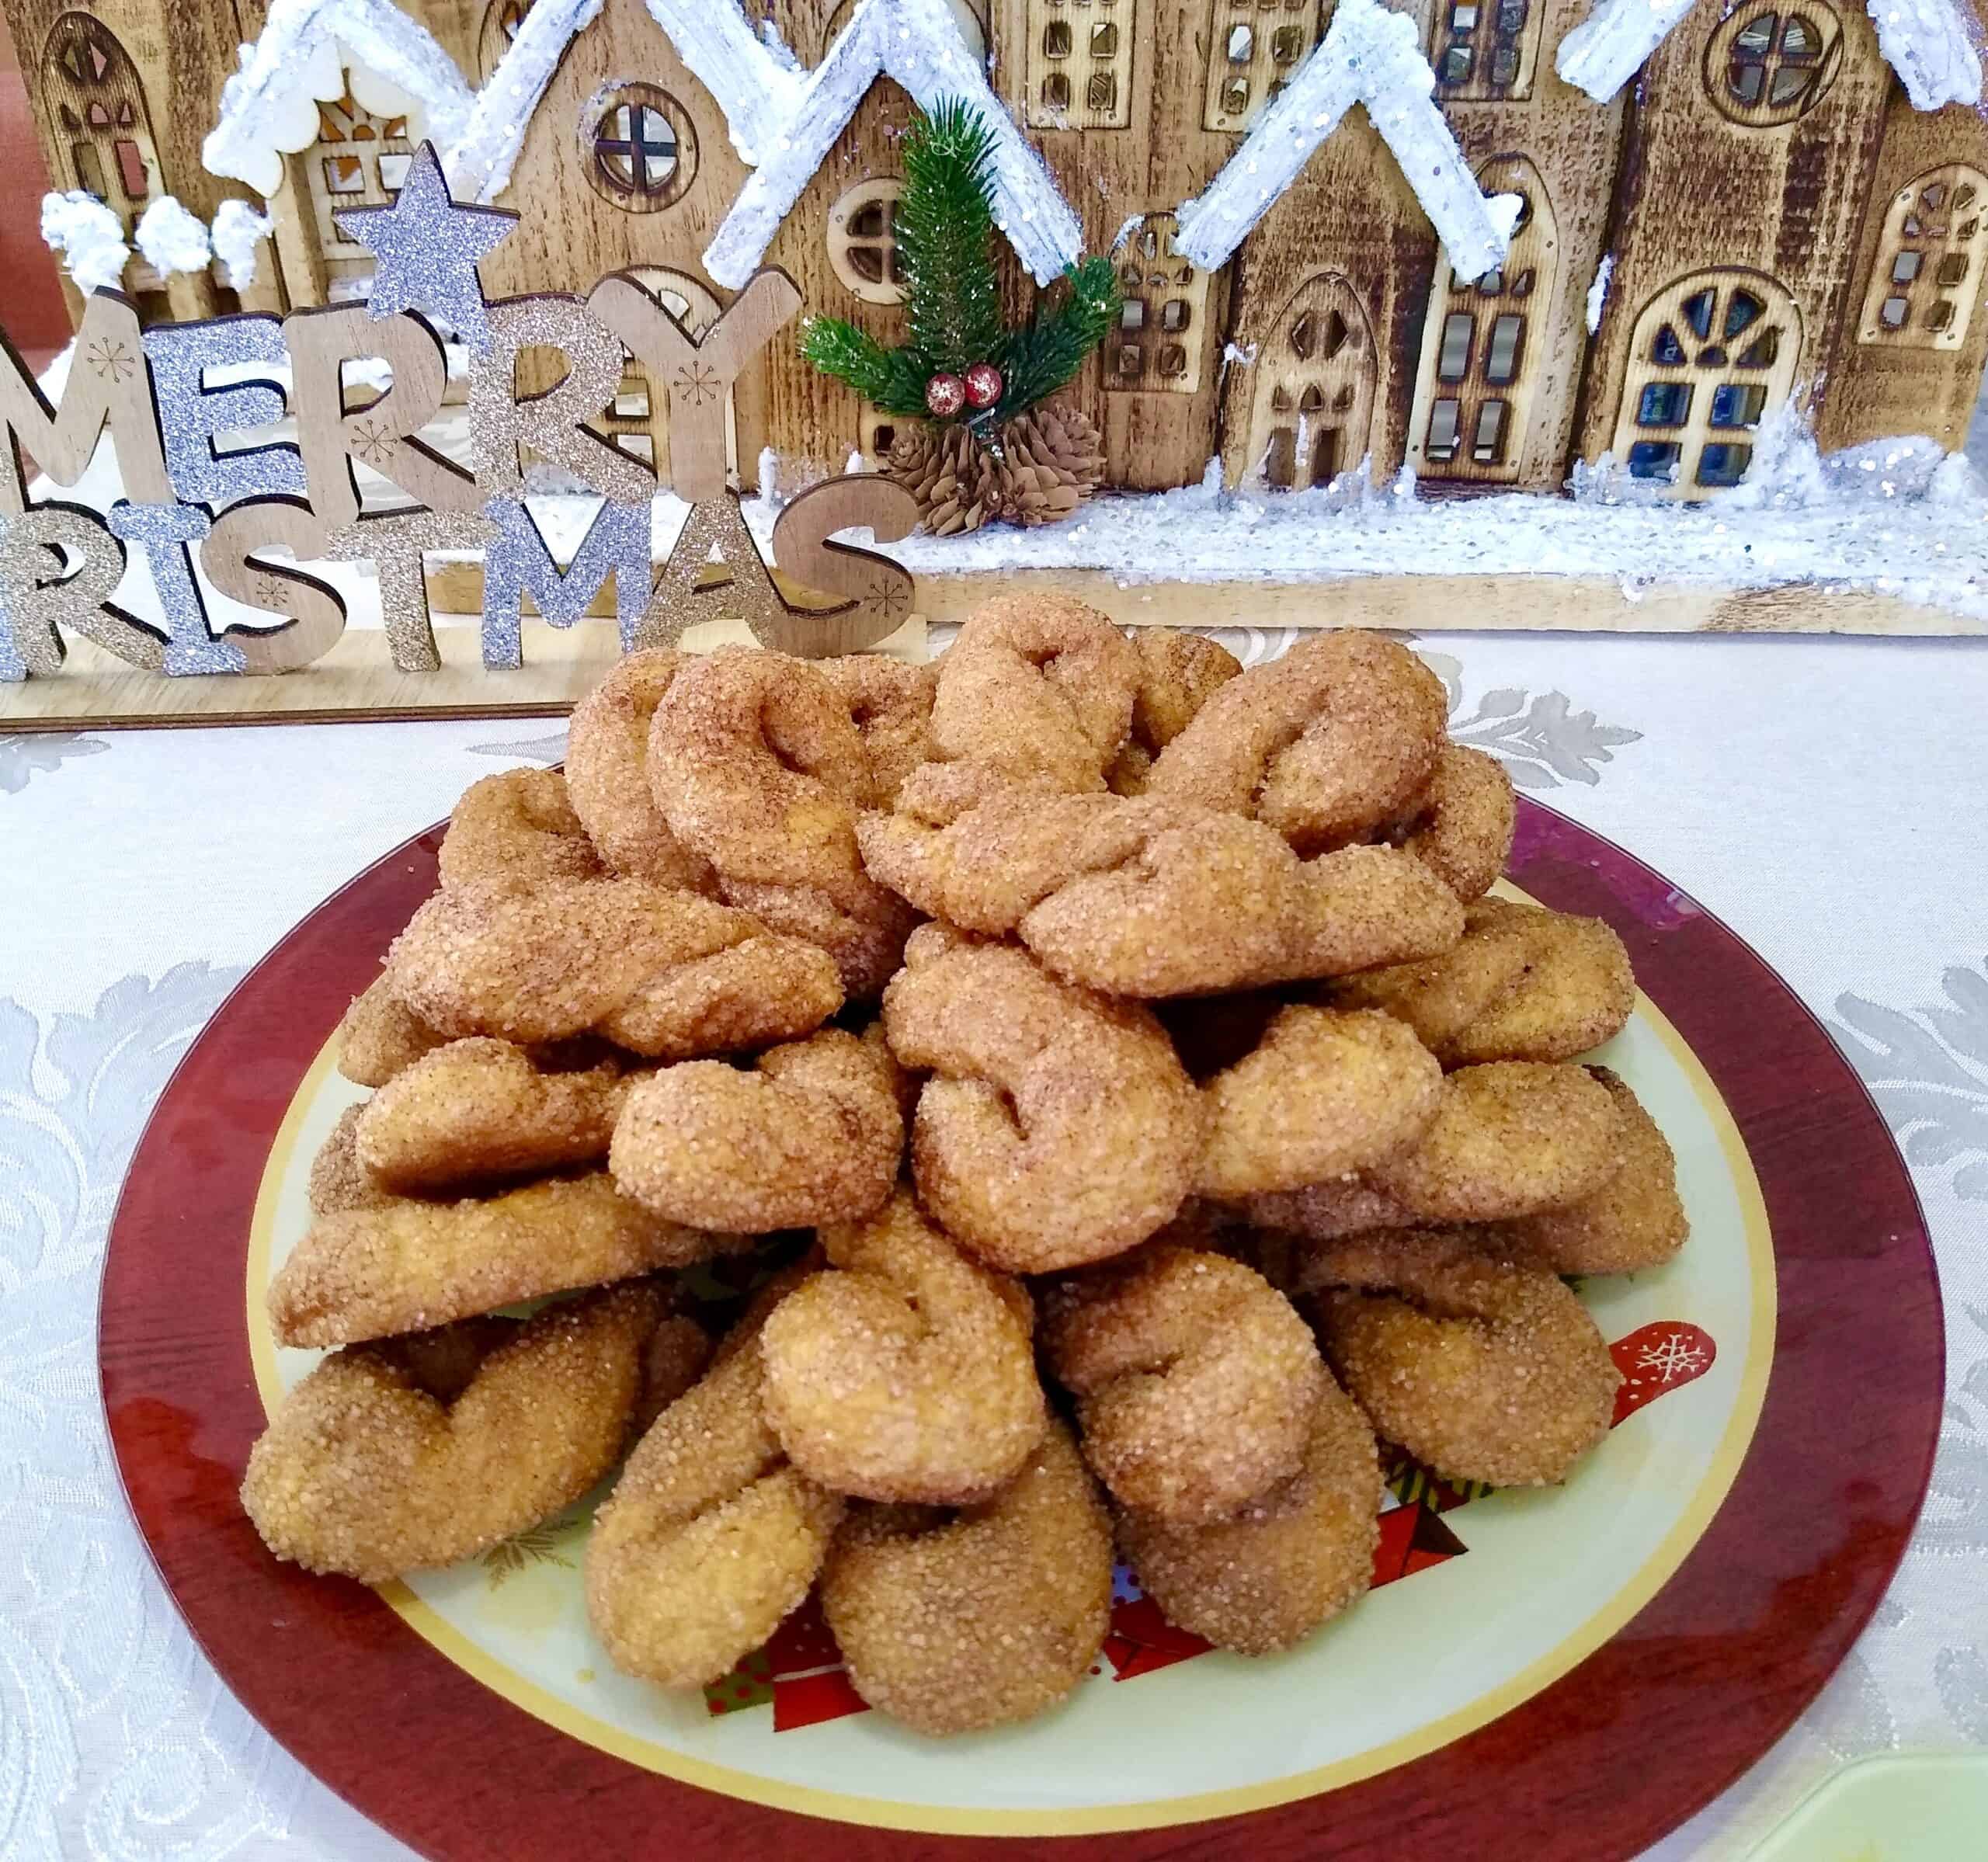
pixel 1289 1561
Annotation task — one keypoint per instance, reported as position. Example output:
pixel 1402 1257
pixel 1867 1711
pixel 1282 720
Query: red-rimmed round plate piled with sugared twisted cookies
pixel 1071 1245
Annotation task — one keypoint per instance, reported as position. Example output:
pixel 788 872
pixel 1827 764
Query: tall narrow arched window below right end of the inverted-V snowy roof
pixel 1484 347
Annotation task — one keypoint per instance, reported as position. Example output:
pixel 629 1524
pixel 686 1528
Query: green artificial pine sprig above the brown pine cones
pixel 945 247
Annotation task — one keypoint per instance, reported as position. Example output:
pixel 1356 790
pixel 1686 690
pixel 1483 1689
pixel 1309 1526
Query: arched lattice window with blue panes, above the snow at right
pixel 1713 357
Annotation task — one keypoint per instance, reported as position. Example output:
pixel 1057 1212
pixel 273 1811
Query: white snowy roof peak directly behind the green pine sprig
pixel 919 45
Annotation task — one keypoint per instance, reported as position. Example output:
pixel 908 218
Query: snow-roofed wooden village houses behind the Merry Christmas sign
pixel 1367 253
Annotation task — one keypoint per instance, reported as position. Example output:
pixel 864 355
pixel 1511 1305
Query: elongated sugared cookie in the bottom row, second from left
pixel 711 1539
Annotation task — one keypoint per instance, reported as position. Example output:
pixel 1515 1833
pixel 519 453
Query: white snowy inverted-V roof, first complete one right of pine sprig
pixel 1369 57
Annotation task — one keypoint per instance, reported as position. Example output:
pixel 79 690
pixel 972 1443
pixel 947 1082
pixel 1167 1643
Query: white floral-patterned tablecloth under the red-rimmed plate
pixel 1822 796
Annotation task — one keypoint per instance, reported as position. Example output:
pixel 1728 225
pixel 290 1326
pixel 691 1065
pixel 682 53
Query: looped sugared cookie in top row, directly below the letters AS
pixel 758 768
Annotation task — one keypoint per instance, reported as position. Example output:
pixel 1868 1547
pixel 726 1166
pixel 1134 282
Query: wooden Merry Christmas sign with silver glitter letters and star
pixel 253 518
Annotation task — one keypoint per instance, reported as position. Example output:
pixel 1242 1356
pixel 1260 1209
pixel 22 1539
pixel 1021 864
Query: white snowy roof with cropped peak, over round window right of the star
pixel 754 82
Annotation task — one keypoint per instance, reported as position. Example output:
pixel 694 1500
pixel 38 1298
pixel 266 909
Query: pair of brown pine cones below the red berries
pixel 1053 460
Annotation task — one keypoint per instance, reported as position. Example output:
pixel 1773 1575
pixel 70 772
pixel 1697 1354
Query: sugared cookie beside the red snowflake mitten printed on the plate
pixel 1482 1368
